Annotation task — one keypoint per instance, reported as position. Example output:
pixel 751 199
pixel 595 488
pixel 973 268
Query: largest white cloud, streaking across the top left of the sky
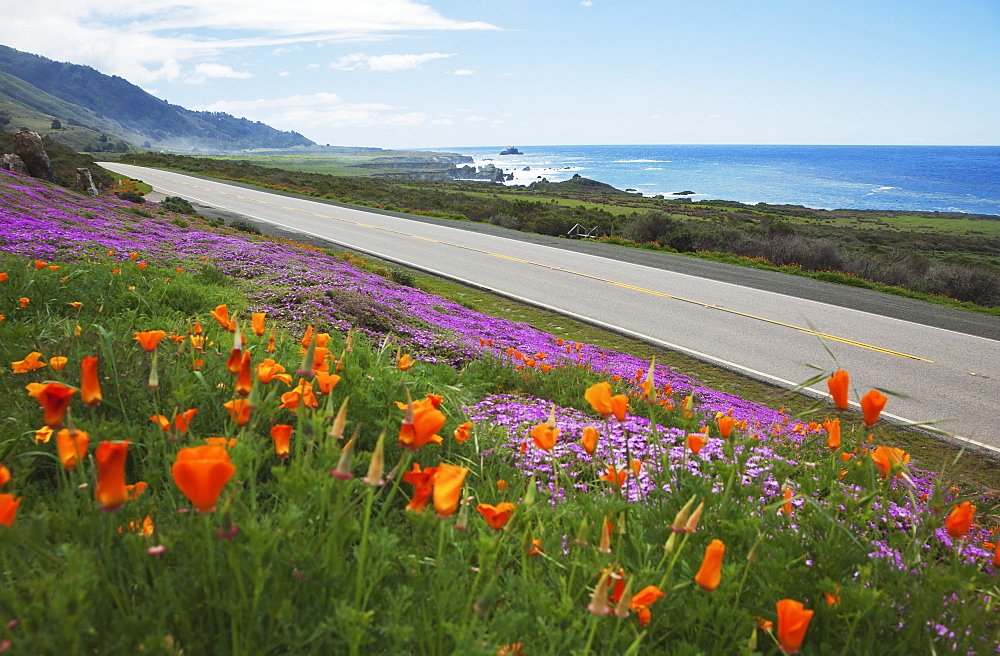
pixel 138 40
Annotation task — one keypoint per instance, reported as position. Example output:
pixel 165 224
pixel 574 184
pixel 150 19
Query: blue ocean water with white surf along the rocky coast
pixel 933 178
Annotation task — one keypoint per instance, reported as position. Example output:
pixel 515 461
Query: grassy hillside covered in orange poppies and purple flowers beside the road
pixel 498 490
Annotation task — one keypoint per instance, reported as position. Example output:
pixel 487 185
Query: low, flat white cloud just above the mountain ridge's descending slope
pixel 319 110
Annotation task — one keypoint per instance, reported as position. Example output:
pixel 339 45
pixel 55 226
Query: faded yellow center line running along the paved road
pixel 651 292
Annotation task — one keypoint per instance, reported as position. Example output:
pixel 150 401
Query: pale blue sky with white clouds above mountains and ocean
pixel 451 73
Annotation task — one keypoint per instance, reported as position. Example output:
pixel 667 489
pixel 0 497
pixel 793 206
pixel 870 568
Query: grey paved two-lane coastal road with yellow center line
pixel 945 363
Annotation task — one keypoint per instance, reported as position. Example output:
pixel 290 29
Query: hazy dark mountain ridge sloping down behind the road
pixel 98 112
